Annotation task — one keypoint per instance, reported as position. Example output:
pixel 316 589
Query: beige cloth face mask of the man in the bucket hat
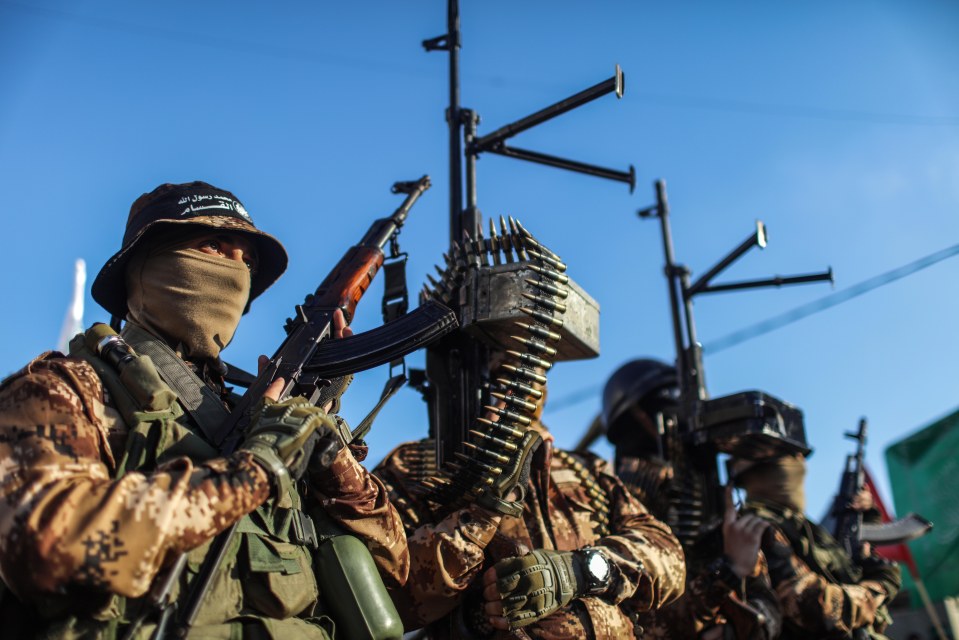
pixel 192 299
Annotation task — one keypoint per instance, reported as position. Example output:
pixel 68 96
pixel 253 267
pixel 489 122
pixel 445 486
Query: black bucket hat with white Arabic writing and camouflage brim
pixel 195 204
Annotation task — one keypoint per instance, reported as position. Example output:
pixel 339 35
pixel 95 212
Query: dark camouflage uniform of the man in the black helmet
pixel 713 596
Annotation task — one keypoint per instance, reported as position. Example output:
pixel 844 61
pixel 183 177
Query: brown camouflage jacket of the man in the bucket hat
pixel 75 534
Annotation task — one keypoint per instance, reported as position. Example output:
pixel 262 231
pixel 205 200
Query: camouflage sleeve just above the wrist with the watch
pixel 649 568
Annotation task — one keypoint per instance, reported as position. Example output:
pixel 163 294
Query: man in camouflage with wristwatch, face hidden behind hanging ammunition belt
pixel 583 557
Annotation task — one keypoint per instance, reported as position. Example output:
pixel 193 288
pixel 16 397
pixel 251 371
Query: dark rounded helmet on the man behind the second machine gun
pixel 644 385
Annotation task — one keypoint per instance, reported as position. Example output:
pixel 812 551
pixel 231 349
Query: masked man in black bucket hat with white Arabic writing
pixel 107 474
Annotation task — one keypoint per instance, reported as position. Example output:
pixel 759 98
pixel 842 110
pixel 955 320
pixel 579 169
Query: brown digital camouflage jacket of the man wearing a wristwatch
pixel 448 552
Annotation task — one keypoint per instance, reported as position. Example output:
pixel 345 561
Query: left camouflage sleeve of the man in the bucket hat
pixel 66 522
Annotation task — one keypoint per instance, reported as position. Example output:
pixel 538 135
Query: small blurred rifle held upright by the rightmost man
pixel 846 524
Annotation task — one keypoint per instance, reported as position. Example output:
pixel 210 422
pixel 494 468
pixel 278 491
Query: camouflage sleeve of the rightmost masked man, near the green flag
pixel 813 603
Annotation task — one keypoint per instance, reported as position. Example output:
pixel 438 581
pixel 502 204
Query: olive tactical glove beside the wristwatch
pixel 537 584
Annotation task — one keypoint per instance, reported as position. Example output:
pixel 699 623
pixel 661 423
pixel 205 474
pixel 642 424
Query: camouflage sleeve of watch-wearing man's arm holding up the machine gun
pixel 445 556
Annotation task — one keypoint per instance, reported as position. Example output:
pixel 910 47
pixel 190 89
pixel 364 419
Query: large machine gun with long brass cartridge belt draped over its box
pixel 496 283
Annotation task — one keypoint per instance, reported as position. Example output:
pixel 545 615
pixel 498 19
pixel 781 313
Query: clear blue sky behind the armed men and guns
pixel 837 124
